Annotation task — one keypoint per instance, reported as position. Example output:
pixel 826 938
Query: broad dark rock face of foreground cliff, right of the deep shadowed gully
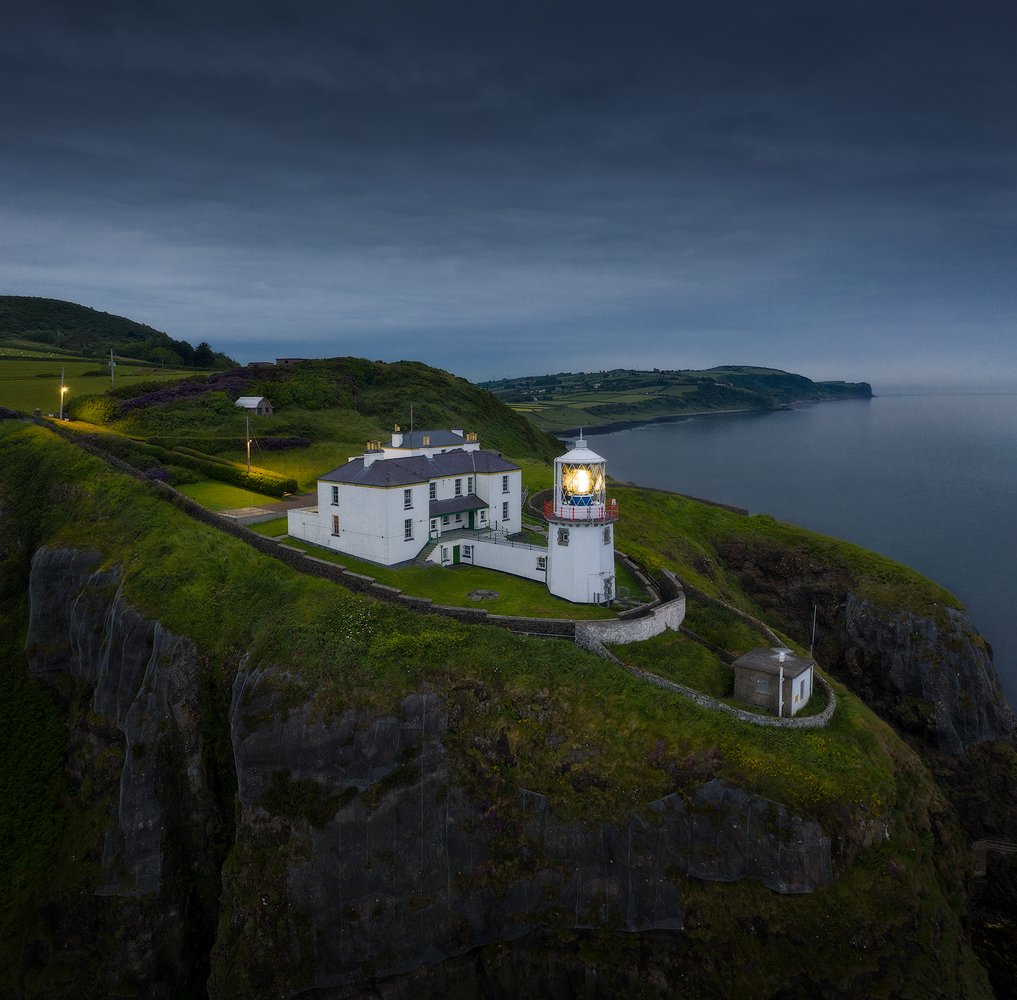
pixel 393 862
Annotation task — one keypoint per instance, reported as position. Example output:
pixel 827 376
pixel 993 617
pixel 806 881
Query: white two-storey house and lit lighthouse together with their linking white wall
pixel 439 496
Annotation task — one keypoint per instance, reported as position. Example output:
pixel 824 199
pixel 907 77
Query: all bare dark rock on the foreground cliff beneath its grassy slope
pixel 364 848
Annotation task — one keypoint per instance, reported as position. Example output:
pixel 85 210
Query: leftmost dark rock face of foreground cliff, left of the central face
pixel 137 755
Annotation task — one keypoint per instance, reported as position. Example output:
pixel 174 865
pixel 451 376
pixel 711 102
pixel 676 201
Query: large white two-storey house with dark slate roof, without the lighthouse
pixel 387 505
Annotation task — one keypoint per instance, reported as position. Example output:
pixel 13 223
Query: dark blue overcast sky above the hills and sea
pixel 509 190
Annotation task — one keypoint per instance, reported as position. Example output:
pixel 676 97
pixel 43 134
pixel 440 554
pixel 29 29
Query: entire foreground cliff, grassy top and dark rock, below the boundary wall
pixel 274 786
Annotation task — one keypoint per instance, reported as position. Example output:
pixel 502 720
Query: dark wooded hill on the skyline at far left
pixel 83 332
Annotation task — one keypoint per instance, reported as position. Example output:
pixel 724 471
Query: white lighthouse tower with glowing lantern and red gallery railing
pixel 581 530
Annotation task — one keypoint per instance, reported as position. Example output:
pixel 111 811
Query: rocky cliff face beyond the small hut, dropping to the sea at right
pixel 934 679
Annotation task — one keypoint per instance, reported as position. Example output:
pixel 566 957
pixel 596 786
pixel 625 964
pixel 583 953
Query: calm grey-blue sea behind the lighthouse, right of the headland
pixel 929 481
